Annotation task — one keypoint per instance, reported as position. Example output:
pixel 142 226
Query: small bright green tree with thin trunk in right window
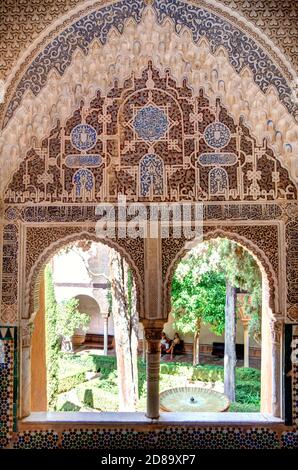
pixel 198 300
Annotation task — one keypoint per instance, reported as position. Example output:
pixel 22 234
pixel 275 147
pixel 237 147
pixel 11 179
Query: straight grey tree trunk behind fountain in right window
pixel 230 342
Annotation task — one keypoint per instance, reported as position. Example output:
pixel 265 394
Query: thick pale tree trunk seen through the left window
pixel 126 332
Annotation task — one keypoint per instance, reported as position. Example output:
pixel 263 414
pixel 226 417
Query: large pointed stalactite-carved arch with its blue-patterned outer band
pixel 53 98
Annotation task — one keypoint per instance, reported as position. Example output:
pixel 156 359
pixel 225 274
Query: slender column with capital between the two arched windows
pixel 153 337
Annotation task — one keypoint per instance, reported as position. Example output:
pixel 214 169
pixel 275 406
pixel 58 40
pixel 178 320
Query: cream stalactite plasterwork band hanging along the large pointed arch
pixel 205 66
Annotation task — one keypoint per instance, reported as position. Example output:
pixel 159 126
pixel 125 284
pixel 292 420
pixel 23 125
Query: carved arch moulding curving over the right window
pixel 258 254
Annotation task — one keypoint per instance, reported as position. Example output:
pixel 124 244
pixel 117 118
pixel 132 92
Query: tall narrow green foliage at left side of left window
pixel 52 340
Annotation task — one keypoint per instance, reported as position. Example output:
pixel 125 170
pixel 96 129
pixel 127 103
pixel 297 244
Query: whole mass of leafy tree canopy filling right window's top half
pixel 198 287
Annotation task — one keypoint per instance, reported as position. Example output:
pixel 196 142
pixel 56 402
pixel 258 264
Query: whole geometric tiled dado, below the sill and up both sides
pixel 147 437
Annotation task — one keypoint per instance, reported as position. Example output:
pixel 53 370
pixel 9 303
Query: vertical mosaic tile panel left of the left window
pixel 8 383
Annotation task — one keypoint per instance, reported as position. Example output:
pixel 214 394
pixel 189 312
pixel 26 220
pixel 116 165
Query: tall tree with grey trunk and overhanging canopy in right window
pixel 240 271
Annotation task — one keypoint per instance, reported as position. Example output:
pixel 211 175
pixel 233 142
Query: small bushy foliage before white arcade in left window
pixel 69 318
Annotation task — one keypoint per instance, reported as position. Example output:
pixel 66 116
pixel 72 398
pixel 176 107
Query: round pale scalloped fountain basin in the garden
pixel 193 399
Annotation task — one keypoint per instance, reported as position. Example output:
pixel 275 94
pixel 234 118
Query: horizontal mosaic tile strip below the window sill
pixel 165 438
